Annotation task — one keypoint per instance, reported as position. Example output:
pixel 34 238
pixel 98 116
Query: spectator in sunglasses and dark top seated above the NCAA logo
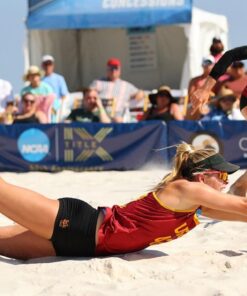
pixel 29 112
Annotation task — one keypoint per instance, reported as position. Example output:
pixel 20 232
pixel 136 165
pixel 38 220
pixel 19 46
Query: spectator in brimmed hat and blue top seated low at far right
pixel 224 107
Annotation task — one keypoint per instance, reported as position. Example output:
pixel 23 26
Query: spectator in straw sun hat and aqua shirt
pixel 44 93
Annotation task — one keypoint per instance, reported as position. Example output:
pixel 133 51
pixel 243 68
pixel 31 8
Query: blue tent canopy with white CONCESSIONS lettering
pixel 83 14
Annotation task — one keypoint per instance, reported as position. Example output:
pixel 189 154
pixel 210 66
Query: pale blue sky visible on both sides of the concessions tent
pixel 13 33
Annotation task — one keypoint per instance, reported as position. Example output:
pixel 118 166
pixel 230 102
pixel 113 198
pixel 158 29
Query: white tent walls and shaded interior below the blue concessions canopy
pixel 152 57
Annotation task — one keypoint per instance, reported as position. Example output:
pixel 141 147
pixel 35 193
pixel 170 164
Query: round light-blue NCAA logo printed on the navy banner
pixel 33 145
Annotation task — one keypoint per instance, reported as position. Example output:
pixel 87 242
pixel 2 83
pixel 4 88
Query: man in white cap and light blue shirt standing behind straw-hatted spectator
pixel 58 84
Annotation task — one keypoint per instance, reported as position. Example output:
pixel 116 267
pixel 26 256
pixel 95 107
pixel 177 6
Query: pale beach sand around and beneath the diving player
pixel 210 260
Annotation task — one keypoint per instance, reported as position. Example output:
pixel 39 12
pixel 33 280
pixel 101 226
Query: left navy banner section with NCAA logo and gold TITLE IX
pixel 81 147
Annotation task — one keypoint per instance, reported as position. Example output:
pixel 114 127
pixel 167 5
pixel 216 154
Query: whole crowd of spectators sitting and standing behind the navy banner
pixel 45 97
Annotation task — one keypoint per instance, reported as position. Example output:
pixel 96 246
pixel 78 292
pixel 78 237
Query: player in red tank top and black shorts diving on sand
pixel 71 227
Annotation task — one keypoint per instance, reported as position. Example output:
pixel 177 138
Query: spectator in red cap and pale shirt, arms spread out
pixel 114 87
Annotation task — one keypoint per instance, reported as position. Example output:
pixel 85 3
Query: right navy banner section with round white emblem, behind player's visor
pixel 227 137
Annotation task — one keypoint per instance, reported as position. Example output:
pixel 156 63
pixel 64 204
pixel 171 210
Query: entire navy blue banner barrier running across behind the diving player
pixel 94 146
